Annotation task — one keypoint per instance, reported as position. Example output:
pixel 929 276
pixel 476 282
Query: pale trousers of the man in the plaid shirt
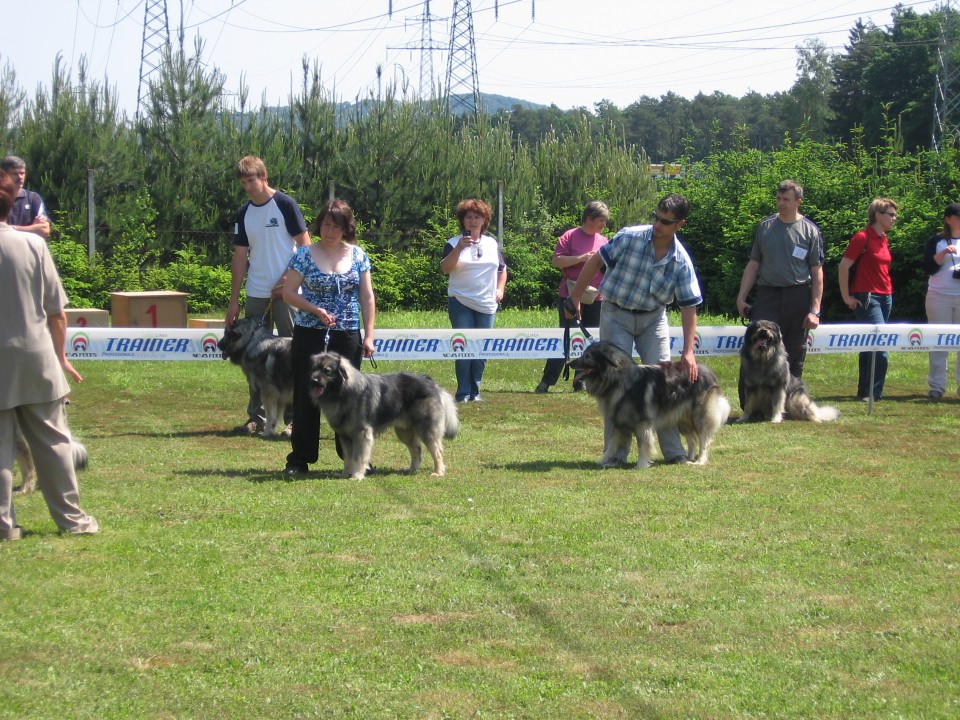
pixel 649 333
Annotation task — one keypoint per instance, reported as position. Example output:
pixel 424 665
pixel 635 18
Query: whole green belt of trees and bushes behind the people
pixel 854 126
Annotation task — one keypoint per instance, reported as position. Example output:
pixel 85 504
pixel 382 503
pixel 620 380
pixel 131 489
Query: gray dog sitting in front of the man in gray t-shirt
pixel 770 392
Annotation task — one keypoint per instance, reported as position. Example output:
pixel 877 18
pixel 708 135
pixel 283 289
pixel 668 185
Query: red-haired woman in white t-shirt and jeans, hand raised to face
pixel 475 288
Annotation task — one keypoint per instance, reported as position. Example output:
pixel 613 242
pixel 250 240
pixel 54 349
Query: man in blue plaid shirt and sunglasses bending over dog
pixel 647 268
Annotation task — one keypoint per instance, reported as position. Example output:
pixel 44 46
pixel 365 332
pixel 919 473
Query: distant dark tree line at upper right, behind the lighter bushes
pixel 888 72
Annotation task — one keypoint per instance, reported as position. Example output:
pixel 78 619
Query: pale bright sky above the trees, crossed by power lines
pixel 571 53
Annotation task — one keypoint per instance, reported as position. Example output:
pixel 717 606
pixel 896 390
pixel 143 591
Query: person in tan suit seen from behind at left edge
pixel 33 329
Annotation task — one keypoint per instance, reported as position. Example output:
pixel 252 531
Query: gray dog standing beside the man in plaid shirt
pixel 636 400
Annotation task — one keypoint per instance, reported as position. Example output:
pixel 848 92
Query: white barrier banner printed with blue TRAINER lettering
pixel 93 343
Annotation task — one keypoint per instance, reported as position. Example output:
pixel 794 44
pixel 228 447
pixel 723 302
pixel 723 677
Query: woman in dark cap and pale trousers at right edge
pixel 942 263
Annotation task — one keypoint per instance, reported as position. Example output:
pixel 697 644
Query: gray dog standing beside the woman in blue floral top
pixel 360 406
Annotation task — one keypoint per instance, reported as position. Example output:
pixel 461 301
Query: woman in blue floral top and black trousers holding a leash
pixel 329 283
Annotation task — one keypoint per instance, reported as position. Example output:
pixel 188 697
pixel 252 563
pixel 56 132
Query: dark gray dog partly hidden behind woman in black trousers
pixel 267 362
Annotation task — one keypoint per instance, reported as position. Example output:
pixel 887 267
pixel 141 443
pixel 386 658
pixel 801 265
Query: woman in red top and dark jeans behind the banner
pixel 870 293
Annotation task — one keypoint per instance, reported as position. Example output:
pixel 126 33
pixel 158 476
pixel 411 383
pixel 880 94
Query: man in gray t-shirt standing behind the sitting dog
pixel 786 263
